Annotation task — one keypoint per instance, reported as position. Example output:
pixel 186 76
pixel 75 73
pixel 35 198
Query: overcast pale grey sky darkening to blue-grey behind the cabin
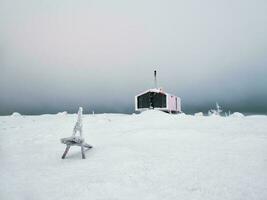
pixel 57 54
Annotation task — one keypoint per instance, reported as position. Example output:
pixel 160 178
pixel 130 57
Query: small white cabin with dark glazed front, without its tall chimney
pixel 158 100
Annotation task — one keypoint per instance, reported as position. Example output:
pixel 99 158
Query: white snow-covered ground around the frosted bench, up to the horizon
pixel 152 155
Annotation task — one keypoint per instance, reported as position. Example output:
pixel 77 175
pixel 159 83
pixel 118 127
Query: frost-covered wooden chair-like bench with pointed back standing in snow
pixel 76 140
